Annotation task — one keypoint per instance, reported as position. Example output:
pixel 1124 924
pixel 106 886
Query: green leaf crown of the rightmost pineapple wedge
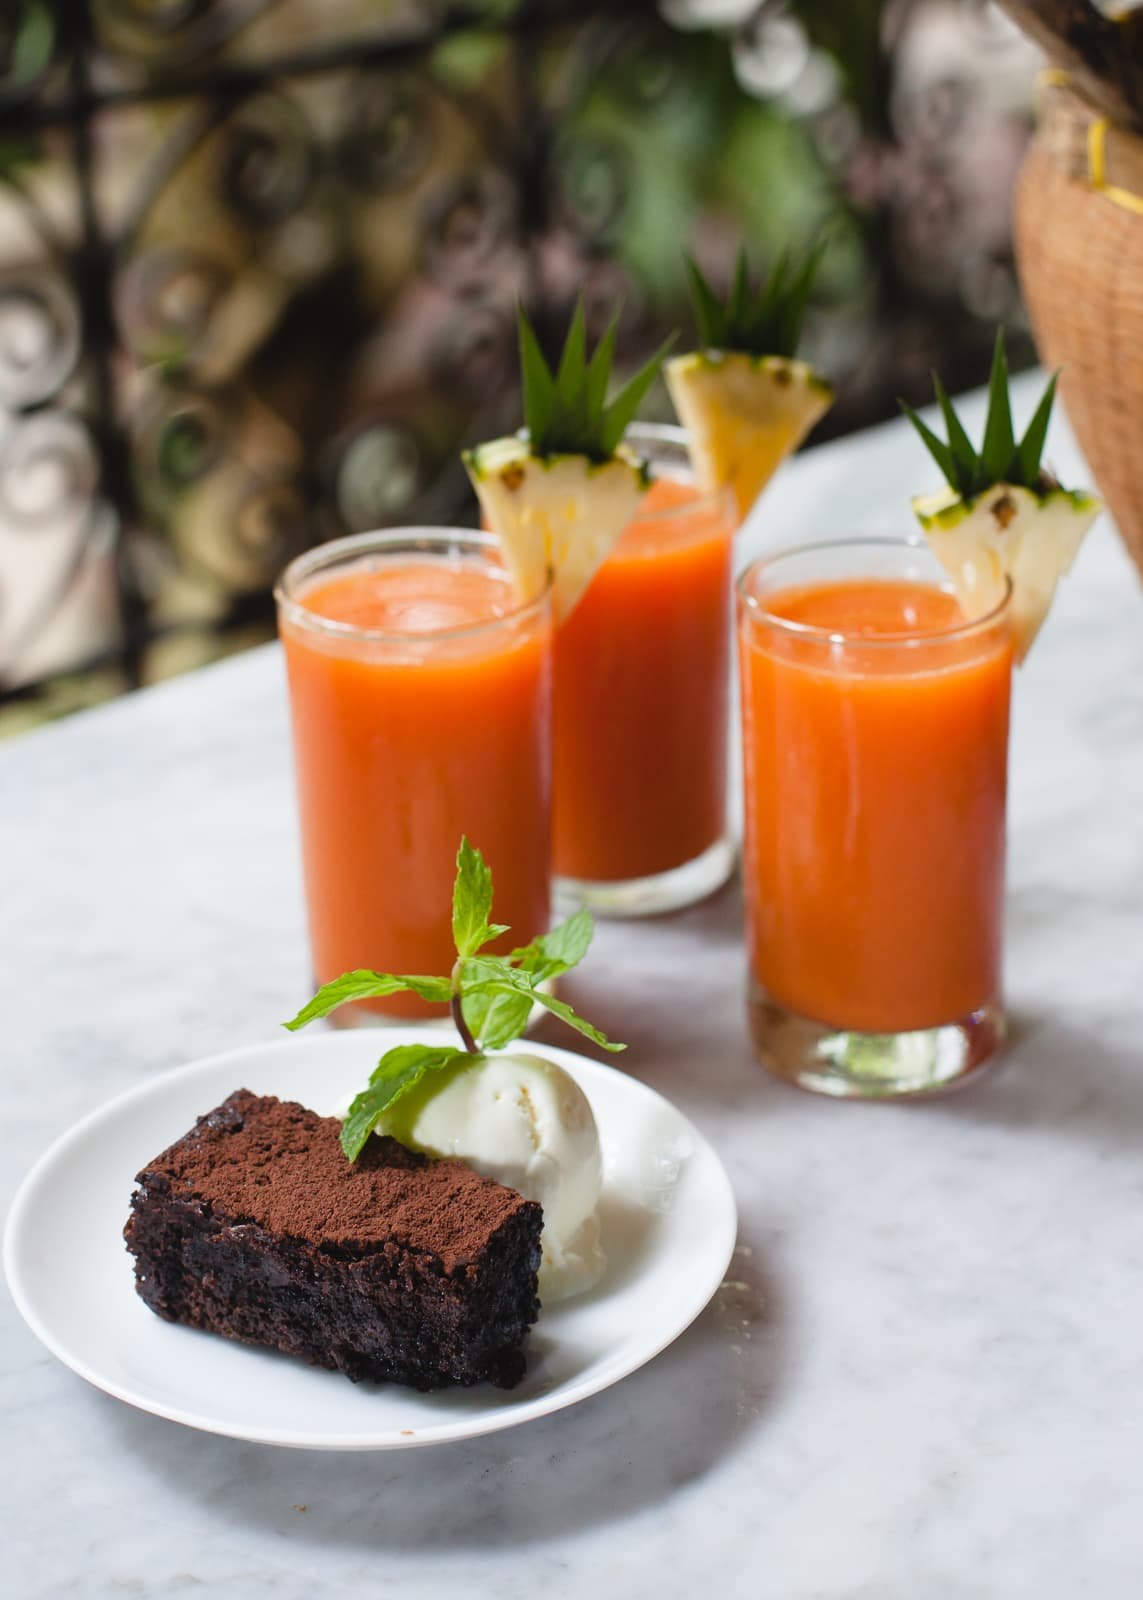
pixel 1000 460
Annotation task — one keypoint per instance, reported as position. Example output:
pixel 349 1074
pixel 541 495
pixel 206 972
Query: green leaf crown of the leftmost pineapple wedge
pixel 566 412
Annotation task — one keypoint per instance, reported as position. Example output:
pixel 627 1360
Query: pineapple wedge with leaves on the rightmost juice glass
pixel 1001 518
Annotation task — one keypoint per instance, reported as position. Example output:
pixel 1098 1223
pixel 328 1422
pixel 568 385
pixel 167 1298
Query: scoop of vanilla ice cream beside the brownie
pixel 527 1124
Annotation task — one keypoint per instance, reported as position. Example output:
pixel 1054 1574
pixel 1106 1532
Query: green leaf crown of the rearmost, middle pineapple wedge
pixel 763 319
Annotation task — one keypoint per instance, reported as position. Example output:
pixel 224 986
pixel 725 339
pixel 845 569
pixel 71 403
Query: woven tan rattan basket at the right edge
pixel 1080 252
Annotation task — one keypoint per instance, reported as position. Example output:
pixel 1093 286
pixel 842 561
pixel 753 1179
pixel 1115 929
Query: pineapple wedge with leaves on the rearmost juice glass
pixel 744 399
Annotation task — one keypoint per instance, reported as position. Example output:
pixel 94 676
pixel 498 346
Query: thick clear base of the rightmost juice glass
pixel 873 1066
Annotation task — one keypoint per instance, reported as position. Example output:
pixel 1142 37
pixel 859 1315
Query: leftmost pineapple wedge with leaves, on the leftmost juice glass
pixel 563 490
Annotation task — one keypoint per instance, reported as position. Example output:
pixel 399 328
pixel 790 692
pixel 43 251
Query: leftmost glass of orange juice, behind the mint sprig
pixel 420 692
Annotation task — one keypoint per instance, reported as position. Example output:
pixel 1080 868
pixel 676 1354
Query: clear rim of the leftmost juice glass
pixel 417 540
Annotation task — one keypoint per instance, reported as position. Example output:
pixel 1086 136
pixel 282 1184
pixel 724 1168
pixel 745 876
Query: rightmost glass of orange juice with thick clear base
pixel 875 740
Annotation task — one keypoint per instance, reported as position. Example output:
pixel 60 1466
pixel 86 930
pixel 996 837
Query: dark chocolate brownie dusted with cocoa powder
pixel 390 1268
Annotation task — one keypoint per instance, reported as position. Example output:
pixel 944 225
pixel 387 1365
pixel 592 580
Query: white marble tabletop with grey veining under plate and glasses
pixel 926 1377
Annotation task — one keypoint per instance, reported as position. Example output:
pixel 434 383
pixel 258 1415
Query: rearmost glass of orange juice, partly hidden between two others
pixel 643 678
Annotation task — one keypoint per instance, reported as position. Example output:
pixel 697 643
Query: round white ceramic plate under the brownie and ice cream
pixel 668 1226
